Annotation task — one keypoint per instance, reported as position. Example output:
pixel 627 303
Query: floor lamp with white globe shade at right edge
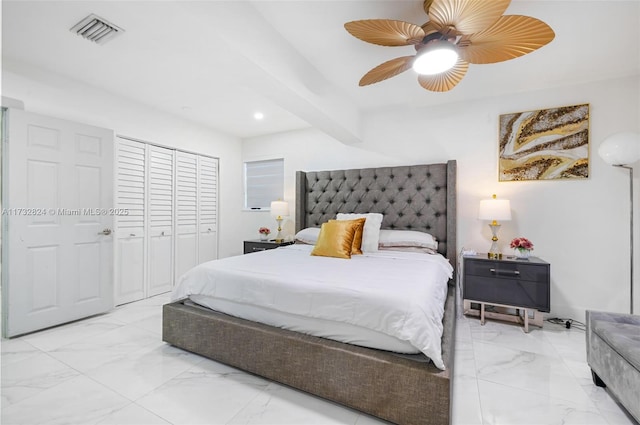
pixel 622 150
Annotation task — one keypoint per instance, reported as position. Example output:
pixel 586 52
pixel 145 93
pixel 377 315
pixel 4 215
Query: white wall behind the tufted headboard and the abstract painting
pixel 581 227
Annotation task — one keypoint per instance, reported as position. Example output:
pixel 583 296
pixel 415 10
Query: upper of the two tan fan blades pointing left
pixel 385 32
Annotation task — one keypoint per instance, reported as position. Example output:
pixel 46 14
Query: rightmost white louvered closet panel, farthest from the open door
pixel 207 208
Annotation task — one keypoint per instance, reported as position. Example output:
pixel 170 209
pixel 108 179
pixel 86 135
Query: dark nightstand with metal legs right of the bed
pixel 508 283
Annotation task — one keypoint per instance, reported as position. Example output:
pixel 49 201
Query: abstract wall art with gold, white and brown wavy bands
pixel 548 144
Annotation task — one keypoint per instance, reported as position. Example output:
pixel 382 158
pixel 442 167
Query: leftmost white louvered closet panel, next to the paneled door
pixel 130 195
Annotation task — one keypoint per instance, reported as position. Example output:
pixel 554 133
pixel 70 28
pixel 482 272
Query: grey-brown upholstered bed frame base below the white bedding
pixel 376 382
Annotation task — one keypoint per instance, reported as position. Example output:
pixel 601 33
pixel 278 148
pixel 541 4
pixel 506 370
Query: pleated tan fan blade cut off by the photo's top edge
pixel 466 16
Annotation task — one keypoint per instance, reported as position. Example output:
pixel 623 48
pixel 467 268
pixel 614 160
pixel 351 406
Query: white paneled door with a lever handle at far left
pixel 58 247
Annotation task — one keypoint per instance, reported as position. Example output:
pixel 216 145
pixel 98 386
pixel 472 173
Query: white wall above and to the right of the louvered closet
pixel 56 96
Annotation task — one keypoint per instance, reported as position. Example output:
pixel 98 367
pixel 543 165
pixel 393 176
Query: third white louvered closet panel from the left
pixel 186 254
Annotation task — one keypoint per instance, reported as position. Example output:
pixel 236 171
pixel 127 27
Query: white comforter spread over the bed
pixel 401 294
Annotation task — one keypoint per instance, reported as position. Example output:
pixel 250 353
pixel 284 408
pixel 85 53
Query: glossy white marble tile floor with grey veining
pixel 114 369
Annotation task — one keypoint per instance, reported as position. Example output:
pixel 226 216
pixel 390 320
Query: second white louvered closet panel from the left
pixel 160 229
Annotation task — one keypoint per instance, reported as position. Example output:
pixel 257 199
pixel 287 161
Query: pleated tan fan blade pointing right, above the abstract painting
pixel 510 37
